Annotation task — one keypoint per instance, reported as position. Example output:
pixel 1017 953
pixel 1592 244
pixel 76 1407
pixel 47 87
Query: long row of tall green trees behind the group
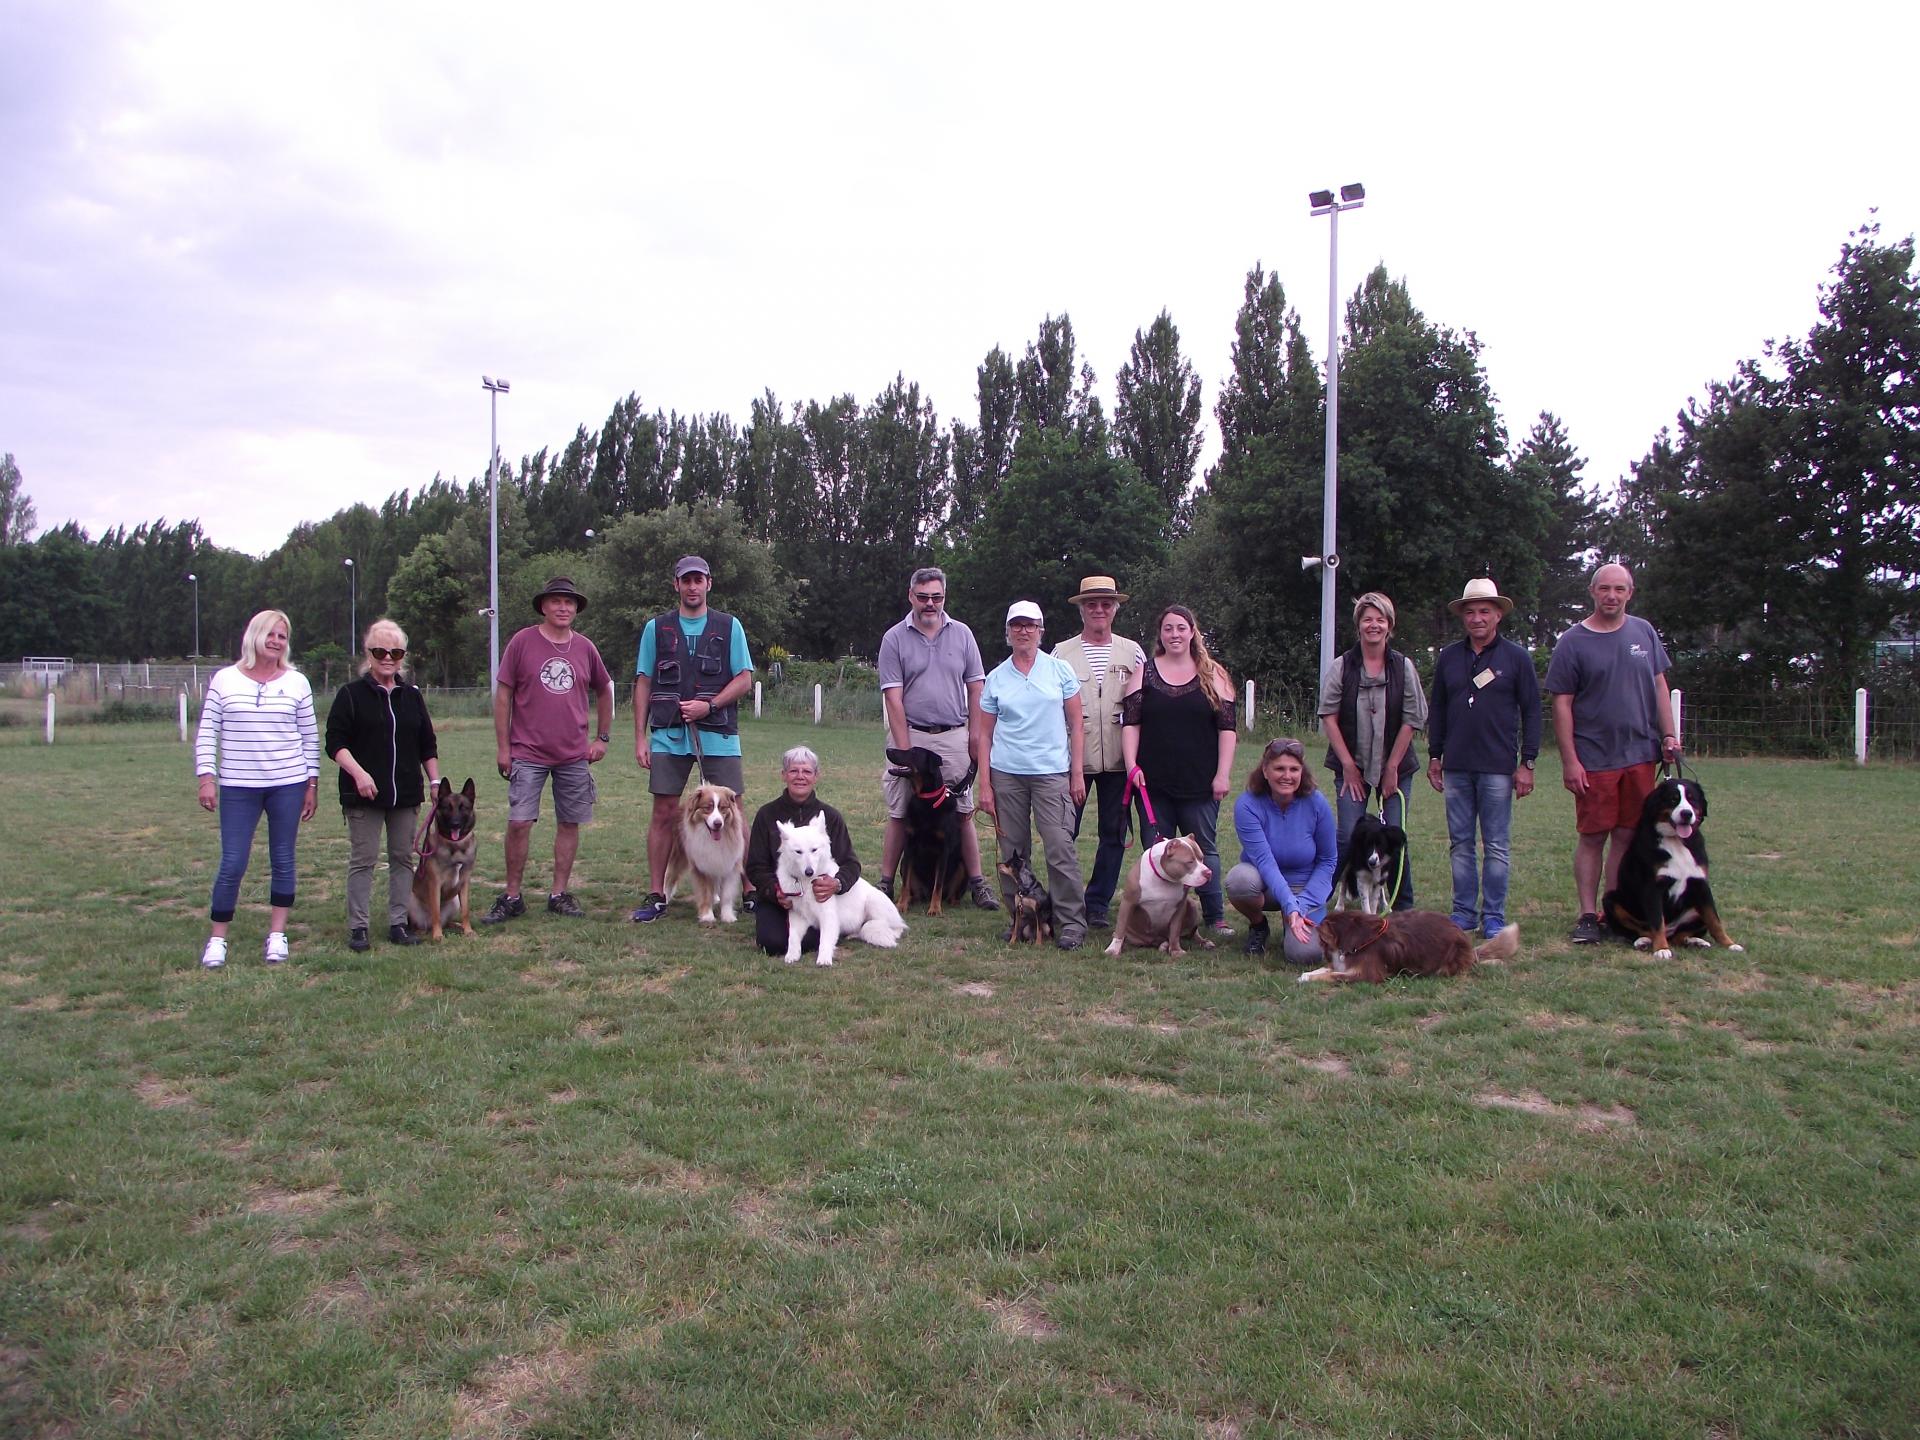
pixel 1796 477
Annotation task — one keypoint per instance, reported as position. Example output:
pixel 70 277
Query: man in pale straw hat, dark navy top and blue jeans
pixel 1483 713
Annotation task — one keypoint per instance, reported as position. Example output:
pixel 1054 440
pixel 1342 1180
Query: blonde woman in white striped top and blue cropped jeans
pixel 258 754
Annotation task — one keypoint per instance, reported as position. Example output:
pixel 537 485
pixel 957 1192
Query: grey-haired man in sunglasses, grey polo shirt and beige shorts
pixel 930 681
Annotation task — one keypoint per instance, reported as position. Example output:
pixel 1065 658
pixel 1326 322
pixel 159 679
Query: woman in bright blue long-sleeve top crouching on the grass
pixel 1287 853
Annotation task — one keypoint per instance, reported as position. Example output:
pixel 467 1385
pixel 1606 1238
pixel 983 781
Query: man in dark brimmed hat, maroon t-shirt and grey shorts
pixel 540 732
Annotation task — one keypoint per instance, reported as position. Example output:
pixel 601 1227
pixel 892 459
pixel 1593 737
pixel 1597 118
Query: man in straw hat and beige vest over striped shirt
pixel 1103 663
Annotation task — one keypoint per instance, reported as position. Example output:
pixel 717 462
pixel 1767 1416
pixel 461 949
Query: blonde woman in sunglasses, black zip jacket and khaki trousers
pixel 381 738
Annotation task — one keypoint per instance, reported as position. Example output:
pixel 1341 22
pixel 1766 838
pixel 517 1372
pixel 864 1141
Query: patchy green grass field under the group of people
pixel 602 1180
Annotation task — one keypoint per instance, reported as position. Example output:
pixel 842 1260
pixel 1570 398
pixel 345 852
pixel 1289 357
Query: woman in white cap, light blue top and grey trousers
pixel 1030 761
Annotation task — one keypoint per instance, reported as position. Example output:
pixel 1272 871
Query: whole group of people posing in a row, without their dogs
pixel 1149 736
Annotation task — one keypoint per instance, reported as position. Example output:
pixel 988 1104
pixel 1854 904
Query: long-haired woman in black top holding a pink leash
pixel 1178 740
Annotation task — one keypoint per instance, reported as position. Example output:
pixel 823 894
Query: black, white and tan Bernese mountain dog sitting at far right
pixel 1662 894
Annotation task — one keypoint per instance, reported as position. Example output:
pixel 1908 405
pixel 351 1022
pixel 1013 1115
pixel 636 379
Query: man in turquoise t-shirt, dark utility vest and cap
pixel 686 708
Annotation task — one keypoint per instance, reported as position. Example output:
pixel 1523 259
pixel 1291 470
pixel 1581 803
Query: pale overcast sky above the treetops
pixel 256 258
